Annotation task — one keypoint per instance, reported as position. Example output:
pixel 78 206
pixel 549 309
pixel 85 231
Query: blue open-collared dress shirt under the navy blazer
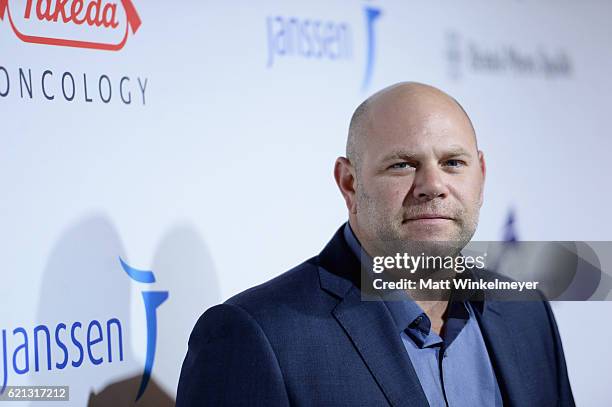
pixel 454 370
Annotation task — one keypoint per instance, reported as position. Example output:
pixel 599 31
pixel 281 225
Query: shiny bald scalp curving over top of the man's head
pixel 411 100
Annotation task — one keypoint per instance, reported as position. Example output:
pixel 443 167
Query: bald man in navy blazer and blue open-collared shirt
pixel 413 172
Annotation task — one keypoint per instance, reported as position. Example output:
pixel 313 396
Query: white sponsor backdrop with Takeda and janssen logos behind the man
pixel 159 157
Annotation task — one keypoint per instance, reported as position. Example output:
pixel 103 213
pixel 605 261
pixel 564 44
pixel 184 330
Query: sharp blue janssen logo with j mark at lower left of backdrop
pixel 78 344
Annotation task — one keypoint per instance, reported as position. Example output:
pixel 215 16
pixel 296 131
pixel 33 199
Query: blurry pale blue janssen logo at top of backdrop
pixel 320 39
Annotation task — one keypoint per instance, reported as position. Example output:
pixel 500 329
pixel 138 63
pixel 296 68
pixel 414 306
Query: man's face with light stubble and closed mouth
pixel 421 176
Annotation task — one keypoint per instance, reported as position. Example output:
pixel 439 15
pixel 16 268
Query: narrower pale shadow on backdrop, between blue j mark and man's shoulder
pixel 183 266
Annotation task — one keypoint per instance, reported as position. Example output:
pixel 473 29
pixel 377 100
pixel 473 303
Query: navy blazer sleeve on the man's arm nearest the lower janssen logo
pixel 230 362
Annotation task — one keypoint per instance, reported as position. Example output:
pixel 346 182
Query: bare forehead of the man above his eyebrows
pixel 418 123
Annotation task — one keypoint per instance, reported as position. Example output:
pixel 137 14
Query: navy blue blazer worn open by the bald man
pixel 305 338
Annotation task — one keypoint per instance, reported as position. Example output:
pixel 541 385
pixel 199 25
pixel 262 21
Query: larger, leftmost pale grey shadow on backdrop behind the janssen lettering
pixel 83 282
